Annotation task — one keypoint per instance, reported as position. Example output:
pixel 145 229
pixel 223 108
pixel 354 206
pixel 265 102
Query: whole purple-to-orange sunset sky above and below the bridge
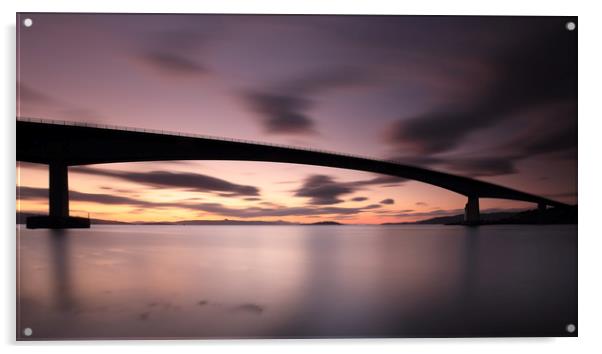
pixel 492 98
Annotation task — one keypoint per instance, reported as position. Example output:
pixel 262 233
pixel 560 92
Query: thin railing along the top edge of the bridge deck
pixel 194 135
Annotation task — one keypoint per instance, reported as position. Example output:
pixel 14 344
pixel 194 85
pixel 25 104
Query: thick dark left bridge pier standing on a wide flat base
pixel 58 203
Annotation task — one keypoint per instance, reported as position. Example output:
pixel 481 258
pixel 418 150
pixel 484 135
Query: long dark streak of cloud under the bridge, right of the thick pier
pixel 187 180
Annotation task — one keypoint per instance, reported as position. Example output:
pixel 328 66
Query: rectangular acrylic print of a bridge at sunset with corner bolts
pixel 254 176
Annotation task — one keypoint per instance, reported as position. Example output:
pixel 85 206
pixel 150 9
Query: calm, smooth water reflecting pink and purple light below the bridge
pixel 297 281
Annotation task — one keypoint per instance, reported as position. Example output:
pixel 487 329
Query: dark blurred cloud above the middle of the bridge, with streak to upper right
pixel 285 108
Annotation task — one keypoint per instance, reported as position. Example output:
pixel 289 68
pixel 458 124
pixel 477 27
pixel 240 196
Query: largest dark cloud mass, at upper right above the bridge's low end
pixel 538 71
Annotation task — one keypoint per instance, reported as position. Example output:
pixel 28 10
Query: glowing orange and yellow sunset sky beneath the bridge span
pixel 413 201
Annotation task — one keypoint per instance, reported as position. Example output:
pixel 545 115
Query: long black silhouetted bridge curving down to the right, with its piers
pixel 60 144
